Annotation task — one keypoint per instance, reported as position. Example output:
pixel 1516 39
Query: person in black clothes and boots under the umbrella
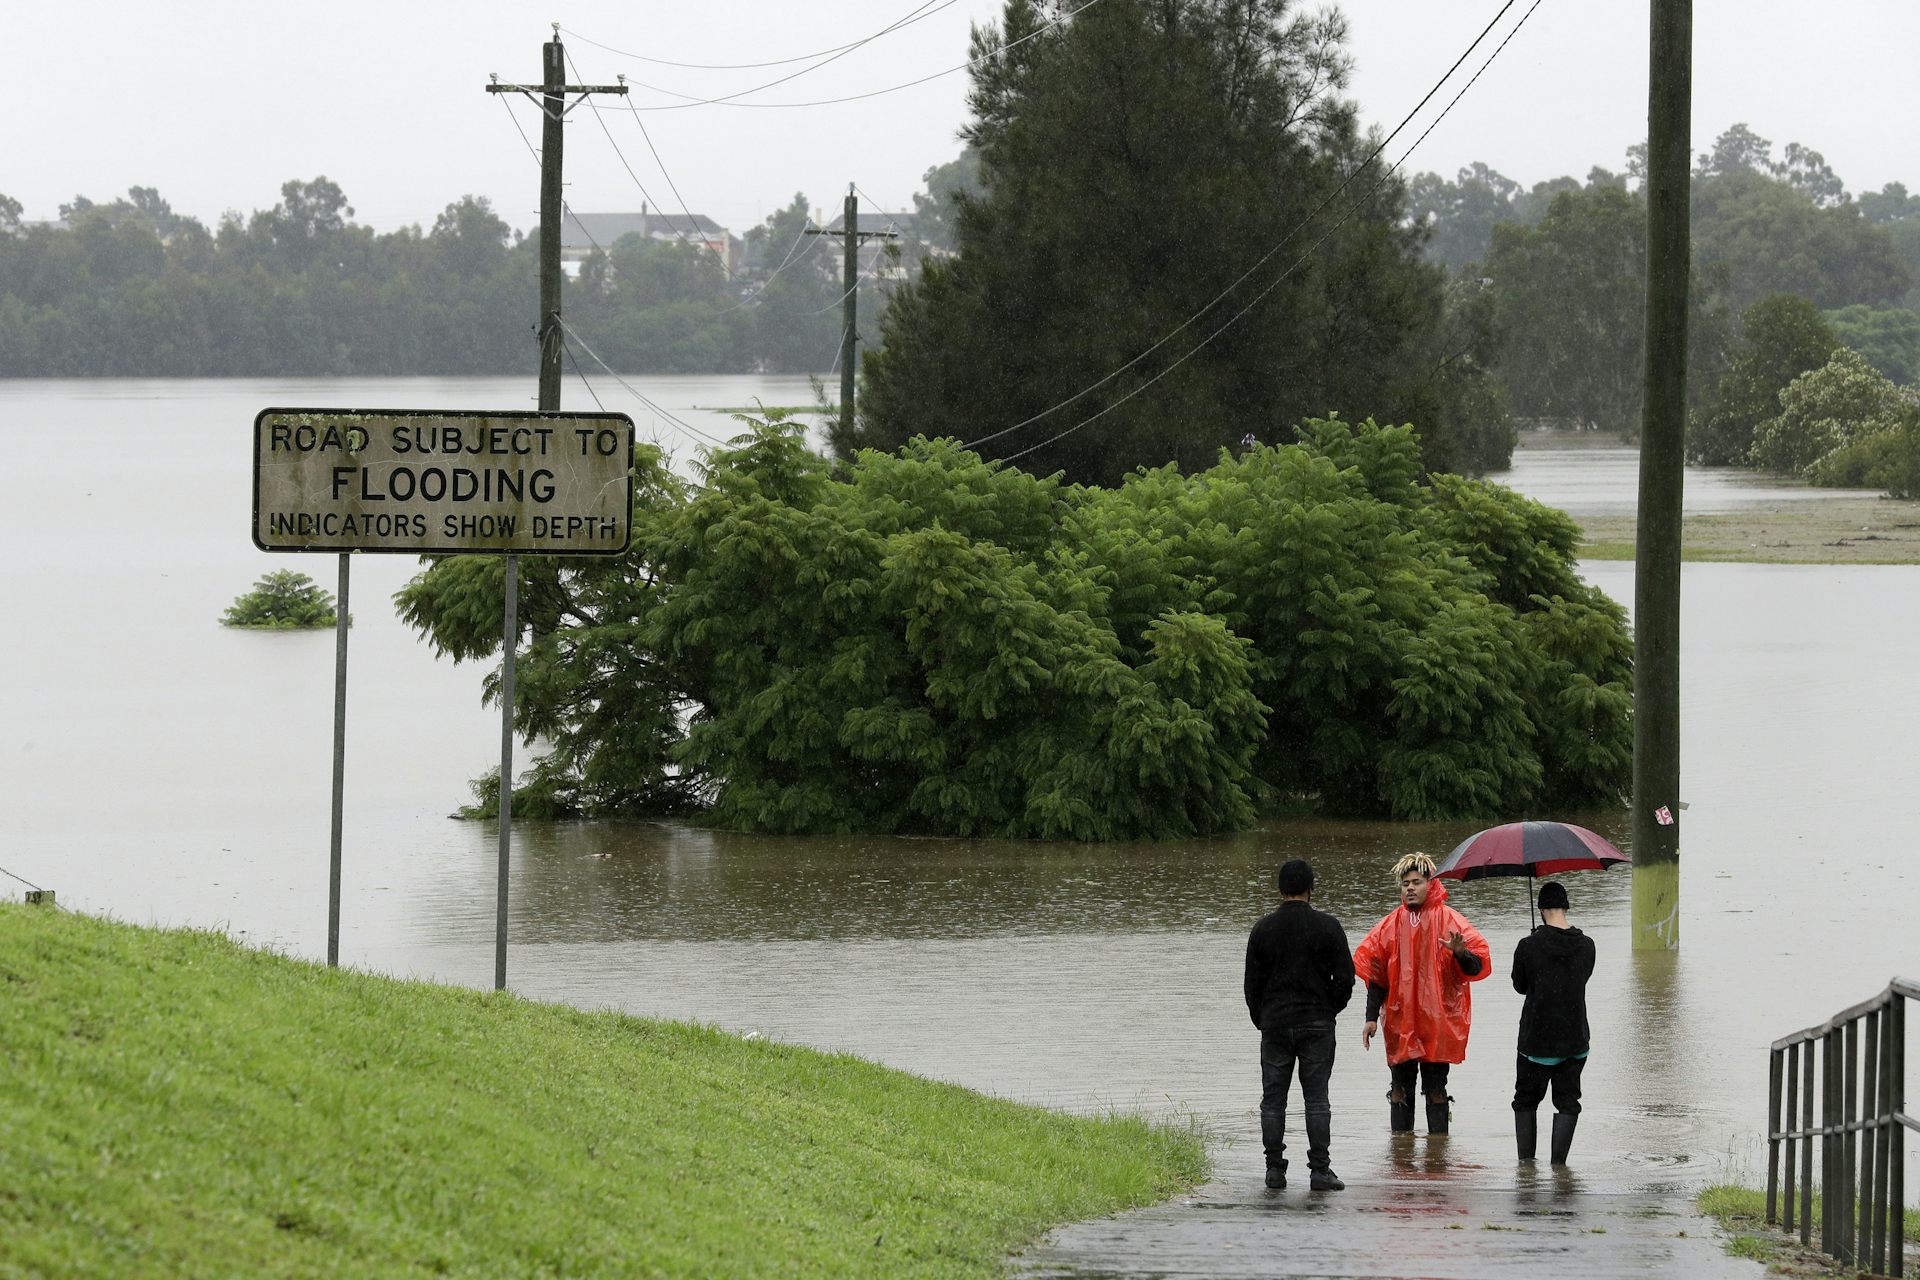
pixel 1550 968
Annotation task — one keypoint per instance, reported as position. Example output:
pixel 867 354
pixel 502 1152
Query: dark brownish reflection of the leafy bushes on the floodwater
pixel 660 882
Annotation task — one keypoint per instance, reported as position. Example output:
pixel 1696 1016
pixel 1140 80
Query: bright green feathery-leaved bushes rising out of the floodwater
pixel 940 644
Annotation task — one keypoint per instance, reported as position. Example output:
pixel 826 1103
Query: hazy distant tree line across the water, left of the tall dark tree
pixel 132 289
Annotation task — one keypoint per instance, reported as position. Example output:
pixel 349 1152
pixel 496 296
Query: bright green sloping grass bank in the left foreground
pixel 174 1104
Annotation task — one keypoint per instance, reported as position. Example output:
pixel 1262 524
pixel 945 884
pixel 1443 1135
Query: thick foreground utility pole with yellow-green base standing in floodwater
pixel 1662 471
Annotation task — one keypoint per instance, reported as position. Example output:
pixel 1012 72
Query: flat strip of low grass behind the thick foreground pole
pixel 1842 531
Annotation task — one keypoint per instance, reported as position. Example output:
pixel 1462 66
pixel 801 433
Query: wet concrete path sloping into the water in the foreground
pixel 1426 1218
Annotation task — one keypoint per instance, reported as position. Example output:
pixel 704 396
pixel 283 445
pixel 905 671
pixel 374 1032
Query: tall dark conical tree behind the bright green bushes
pixel 1153 172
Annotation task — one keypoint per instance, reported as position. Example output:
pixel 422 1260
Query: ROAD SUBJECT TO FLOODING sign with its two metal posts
pixel 441 483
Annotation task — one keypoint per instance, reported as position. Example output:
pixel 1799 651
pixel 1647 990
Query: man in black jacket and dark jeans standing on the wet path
pixel 1299 978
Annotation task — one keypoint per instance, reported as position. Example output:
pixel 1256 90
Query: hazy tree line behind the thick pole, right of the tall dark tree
pixel 1564 268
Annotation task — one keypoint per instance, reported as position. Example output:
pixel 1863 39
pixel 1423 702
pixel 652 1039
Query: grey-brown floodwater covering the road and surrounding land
pixel 160 769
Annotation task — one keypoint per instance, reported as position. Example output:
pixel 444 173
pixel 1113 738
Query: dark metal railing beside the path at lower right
pixel 1861 1133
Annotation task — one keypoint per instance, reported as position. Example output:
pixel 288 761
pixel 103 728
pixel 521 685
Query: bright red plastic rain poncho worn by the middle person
pixel 1429 1008
